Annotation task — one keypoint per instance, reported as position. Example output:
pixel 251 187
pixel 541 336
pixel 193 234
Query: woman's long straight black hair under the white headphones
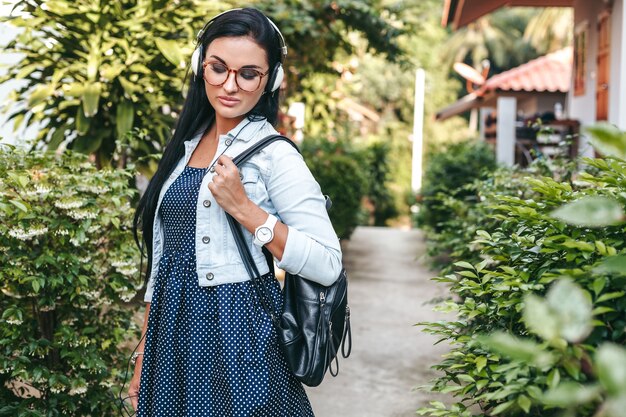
pixel 197 110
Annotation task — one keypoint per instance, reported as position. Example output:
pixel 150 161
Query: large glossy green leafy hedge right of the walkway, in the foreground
pixel 544 357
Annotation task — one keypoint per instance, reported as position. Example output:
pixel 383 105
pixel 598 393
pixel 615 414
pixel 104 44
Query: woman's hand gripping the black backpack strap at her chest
pixel 227 188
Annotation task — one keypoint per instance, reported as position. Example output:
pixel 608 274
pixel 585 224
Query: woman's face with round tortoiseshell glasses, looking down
pixel 223 56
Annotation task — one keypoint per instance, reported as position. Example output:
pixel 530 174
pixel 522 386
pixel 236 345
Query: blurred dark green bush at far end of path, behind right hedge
pixel 447 171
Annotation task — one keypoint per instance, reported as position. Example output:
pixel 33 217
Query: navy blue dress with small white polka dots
pixel 209 351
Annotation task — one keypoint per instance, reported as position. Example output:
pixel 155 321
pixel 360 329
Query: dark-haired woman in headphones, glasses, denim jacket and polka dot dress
pixel 210 348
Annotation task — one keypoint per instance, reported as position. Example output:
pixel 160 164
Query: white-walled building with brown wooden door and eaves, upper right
pixel 597 89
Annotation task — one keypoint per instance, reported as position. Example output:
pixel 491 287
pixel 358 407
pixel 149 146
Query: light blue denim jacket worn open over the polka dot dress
pixel 277 180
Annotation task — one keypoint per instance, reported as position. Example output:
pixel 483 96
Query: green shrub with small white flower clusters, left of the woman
pixel 68 268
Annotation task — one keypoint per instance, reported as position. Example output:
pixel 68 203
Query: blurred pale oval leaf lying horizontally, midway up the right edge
pixel 591 211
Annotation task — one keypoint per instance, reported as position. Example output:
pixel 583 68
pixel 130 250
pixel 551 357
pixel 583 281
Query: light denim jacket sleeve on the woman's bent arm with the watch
pixel 312 249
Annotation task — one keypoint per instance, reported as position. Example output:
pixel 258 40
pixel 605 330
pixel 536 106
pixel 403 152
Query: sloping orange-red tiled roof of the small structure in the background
pixel 551 72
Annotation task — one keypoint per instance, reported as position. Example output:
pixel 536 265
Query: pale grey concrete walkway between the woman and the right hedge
pixel 388 292
